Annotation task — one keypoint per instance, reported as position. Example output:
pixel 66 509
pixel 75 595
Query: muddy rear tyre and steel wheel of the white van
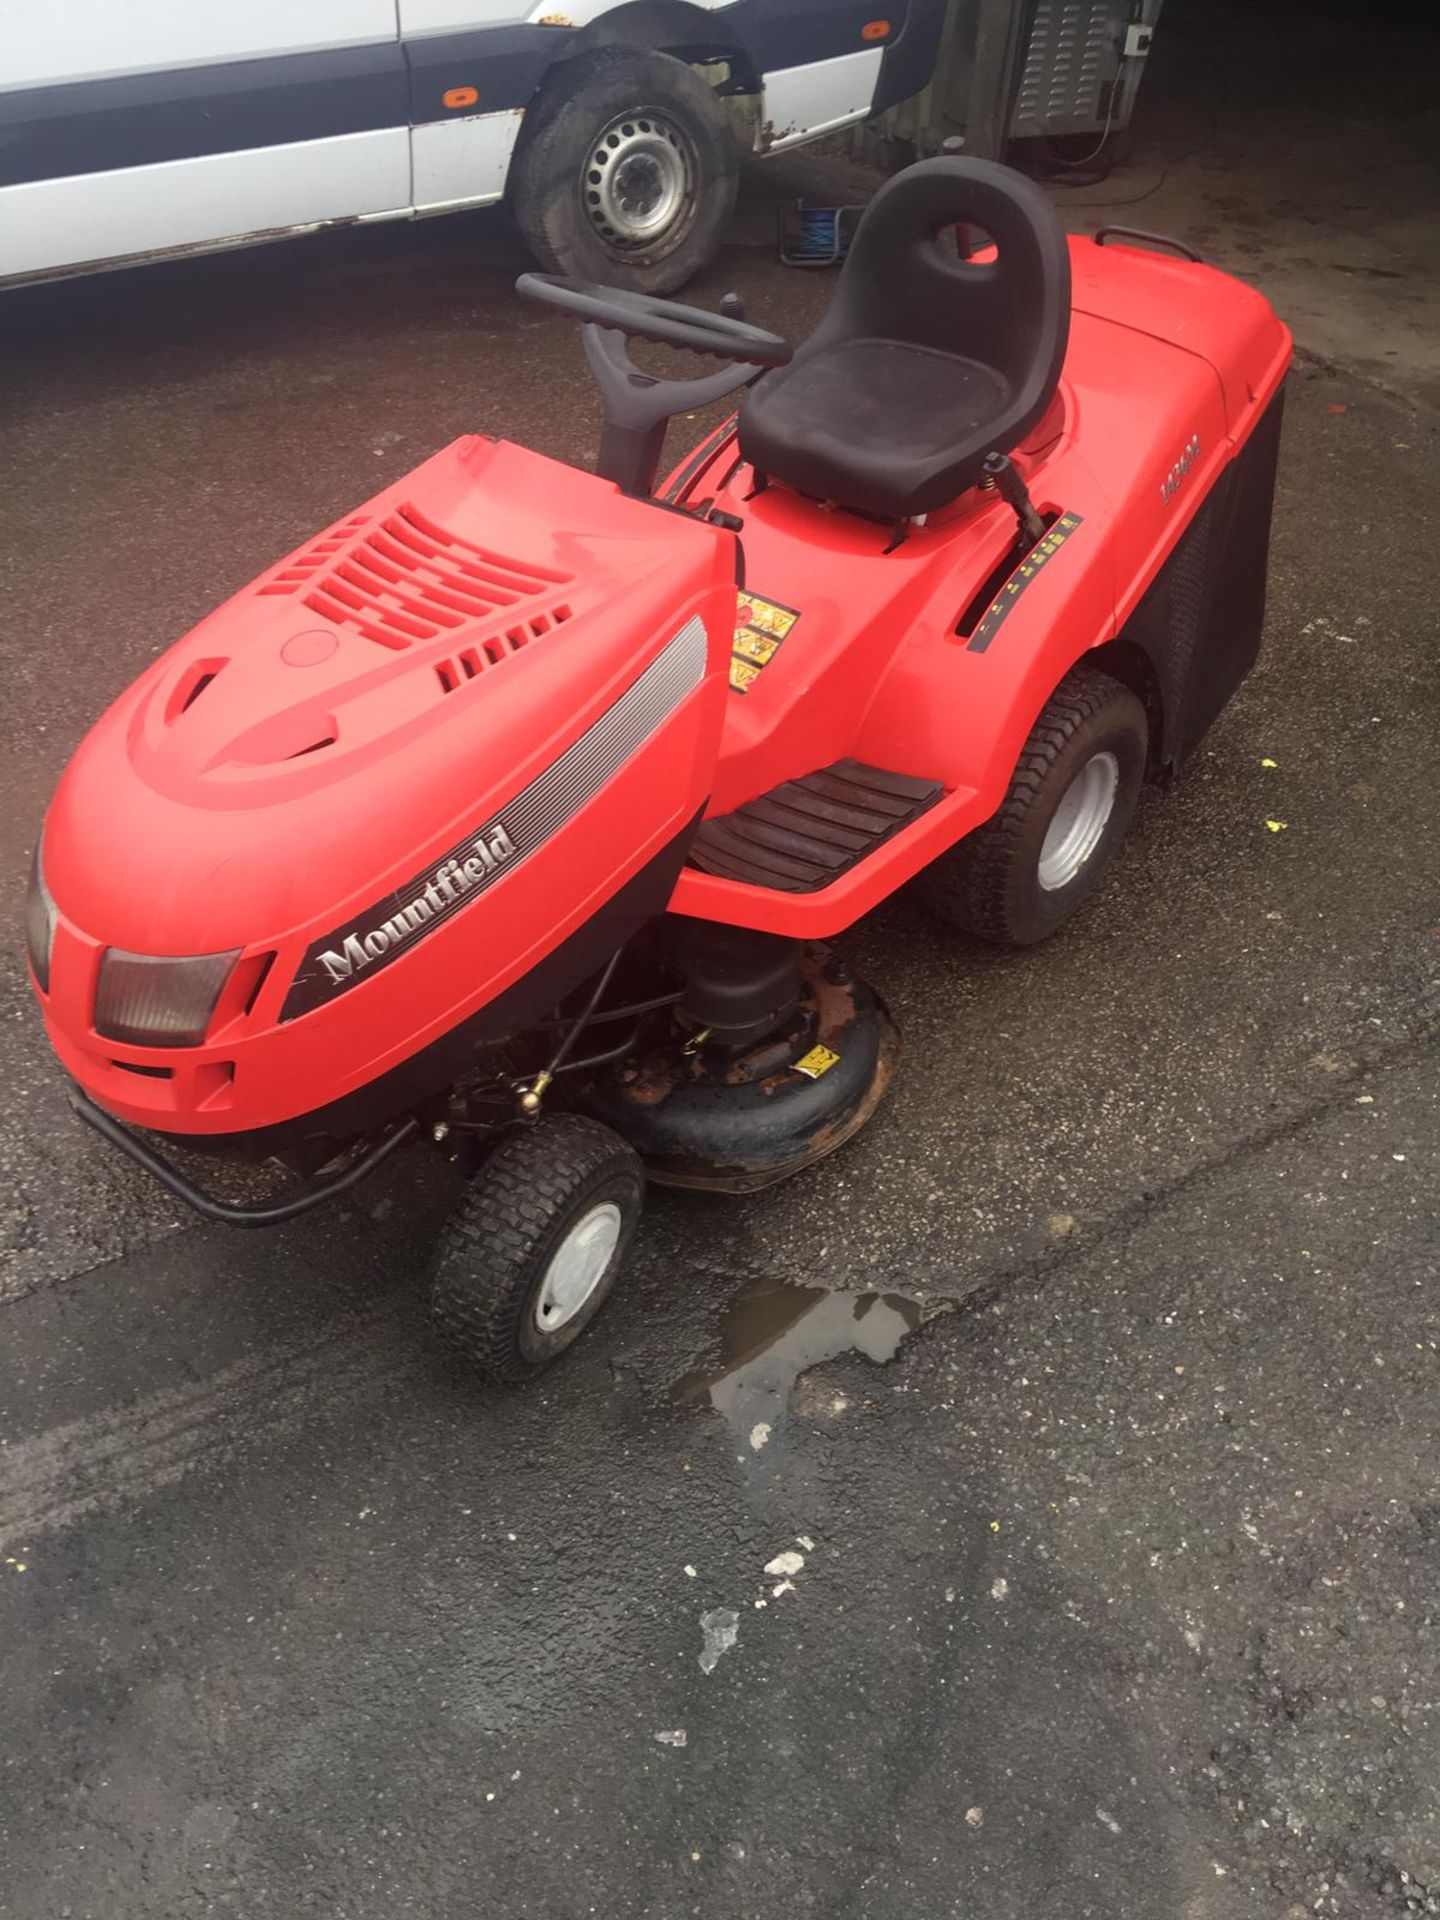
pixel 625 172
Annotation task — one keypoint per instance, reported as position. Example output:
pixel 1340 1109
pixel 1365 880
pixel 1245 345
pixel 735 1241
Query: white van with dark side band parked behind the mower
pixel 137 130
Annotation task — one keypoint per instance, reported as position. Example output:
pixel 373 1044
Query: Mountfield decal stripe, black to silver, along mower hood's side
pixel 347 957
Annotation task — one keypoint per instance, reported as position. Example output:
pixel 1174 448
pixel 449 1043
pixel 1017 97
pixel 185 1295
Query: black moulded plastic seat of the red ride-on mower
pixel 926 362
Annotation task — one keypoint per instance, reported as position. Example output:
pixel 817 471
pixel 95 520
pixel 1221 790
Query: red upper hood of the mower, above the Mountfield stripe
pixel 354 708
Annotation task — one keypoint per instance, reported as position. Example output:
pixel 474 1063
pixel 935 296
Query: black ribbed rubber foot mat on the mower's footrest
pixel 807 832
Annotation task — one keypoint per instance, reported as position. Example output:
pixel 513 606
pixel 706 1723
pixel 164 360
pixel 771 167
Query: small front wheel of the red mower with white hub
pixel 533 1251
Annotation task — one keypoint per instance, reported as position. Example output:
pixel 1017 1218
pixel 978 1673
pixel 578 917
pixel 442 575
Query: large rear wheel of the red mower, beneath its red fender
pixel 1061 825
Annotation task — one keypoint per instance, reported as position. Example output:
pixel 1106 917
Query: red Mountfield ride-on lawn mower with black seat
pixel 517 809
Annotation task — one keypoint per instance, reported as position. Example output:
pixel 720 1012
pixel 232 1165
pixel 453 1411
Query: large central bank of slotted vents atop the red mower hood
pixel 410 579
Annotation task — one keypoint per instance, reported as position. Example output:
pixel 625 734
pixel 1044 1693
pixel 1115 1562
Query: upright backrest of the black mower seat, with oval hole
pixel 901 283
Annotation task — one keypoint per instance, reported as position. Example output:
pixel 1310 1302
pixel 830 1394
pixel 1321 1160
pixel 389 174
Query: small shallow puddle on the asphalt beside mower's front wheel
pixel 773 1335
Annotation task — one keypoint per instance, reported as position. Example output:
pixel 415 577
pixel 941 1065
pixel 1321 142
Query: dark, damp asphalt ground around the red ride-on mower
pixel 1118 1585
